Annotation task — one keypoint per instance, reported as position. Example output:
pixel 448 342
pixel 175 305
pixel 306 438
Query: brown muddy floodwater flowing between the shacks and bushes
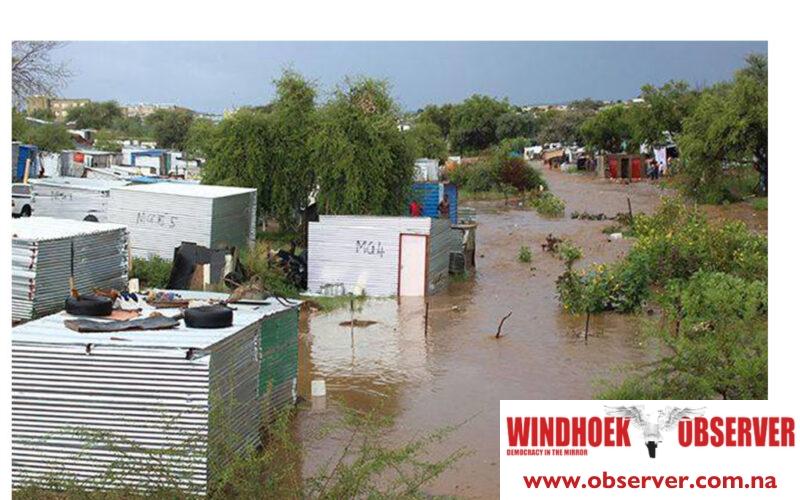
pixel 458 372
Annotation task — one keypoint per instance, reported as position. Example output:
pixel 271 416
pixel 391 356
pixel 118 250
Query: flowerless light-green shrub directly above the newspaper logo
pixel 715 328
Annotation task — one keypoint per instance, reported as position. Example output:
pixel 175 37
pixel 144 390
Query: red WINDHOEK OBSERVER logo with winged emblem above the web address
pixel 562 435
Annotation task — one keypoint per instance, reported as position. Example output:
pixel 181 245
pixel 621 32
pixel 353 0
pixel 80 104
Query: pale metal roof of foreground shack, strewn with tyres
pixel 51 330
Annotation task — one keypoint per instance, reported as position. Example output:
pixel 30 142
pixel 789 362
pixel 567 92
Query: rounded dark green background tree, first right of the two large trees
pixel 474 123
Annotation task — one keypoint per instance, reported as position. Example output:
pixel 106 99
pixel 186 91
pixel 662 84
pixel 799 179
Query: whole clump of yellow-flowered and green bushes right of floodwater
pixel 711 284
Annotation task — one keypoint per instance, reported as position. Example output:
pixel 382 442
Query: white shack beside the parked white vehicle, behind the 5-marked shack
pixel 73 198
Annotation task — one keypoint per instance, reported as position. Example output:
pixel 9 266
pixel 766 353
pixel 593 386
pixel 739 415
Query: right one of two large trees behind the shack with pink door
pixel 364 163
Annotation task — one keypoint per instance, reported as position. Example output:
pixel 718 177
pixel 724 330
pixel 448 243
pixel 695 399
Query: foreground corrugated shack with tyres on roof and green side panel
pixel 148 408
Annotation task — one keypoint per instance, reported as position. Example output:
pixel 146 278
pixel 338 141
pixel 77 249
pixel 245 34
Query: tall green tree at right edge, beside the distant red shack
pixel 726 131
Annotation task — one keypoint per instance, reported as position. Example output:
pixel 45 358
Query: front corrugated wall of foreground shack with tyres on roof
pixel 117 413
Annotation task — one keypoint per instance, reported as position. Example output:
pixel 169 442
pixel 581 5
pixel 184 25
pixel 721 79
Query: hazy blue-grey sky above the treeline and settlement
pixel 213 76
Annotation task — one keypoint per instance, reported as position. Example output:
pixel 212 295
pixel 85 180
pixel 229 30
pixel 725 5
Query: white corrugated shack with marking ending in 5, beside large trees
pixel 161 216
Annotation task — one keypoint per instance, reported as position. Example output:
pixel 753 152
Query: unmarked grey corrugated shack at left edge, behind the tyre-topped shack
pixel 45 252
